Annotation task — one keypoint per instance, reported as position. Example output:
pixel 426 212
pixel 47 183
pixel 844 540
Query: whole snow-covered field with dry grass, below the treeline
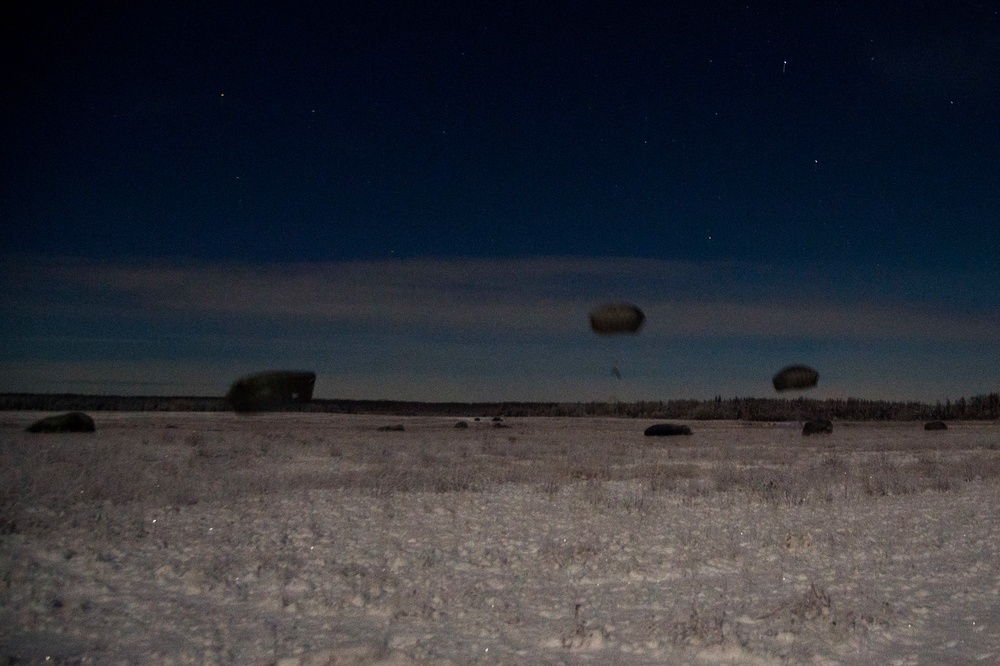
pixel 319 539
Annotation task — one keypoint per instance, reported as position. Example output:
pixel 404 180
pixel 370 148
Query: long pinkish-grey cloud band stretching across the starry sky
pixel 543 296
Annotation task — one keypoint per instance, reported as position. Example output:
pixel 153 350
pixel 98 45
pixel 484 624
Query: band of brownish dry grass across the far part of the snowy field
pixel 47 480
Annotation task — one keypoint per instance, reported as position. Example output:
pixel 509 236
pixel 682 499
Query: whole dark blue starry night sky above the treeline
pixel 424 200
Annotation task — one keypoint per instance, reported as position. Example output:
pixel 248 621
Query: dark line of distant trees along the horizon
pixel 978 408
